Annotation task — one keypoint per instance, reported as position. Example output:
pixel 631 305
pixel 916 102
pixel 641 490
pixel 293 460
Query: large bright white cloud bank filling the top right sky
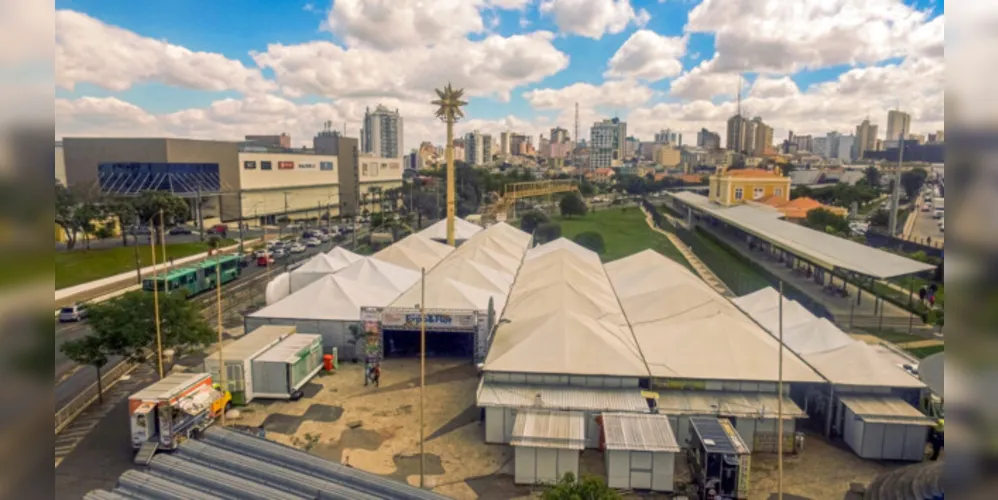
pixel 772 36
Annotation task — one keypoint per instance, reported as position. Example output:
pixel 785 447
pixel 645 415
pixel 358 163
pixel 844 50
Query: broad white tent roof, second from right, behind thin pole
pixel 687 330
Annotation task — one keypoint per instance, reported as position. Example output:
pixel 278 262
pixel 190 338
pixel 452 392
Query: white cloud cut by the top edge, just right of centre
pixel 593 18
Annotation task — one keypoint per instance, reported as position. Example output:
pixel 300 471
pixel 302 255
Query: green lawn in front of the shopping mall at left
pixel 78 266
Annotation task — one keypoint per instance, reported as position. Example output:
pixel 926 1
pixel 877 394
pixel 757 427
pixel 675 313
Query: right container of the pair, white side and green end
pixel 286 367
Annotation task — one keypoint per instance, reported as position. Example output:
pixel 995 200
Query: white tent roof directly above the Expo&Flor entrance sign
pixel 484 267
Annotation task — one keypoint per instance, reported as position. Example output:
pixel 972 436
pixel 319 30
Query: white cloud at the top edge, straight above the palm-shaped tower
pixel 395 24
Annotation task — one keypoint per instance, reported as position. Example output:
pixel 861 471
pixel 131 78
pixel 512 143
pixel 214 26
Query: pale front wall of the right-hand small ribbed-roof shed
pixel 640 470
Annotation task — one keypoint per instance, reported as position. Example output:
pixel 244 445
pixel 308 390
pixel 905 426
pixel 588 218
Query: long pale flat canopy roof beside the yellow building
pixel 817 246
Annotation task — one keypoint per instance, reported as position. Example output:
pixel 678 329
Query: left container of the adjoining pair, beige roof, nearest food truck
pixel 239 355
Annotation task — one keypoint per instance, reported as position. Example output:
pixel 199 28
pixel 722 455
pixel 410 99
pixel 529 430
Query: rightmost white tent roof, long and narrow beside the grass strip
pixel 835 355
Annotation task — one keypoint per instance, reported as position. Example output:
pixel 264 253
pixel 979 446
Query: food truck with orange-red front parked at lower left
pixel 172 410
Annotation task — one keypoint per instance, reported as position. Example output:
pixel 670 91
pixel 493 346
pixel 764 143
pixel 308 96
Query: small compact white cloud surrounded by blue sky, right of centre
pixel 648 56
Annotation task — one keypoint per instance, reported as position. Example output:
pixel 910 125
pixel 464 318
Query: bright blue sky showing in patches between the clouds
pixel 234 29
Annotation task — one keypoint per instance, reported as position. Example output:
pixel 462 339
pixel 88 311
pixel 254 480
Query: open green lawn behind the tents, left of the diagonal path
pixel 624 232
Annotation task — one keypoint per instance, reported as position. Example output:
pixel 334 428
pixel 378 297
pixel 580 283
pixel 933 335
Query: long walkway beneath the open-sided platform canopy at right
pixel 841 308
